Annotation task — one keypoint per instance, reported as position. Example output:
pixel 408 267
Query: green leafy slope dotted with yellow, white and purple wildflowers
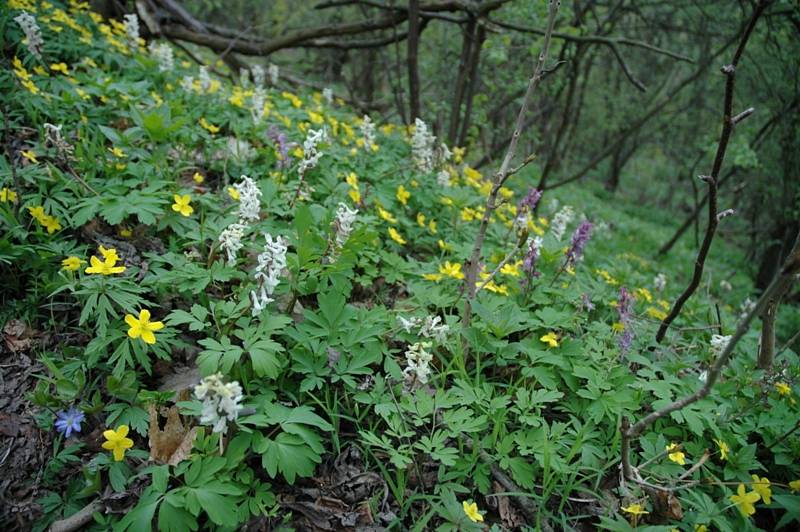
pixel 235 304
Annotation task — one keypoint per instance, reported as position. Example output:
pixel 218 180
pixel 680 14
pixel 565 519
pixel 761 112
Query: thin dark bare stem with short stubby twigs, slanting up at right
pixel 727 129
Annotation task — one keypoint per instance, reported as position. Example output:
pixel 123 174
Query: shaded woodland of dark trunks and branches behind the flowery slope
pixel 631 99
